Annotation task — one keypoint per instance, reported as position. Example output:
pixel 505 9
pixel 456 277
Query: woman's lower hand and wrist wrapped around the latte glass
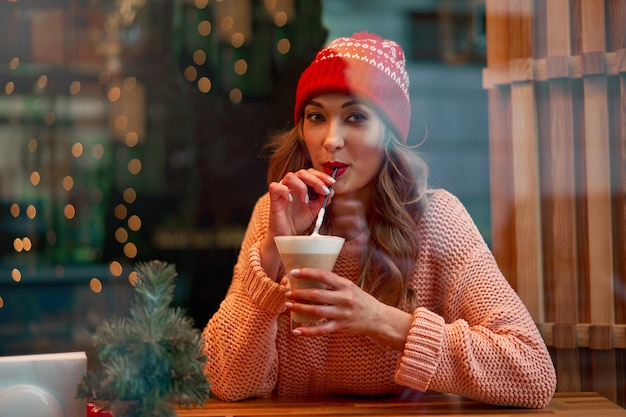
pixel 348 309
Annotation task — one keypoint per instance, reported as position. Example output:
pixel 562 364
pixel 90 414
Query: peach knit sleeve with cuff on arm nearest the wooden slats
pixel 472 336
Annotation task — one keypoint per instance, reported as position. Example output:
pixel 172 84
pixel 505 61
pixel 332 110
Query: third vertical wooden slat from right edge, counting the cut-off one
pixel 560 241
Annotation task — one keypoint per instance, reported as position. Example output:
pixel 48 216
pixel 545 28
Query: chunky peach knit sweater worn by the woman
pixel 471 335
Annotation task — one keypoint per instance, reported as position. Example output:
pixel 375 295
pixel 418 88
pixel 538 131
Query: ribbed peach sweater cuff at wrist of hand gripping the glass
pixel 422 351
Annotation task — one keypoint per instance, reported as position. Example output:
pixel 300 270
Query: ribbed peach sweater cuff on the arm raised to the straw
pixel 264 291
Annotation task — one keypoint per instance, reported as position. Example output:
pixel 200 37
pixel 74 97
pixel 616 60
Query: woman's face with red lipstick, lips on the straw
pixel 342 132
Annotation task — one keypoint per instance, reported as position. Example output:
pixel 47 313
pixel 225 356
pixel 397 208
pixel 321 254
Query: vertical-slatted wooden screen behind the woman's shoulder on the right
pixel 556 82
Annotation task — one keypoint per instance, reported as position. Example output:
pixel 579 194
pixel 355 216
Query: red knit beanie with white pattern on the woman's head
pixel 366 66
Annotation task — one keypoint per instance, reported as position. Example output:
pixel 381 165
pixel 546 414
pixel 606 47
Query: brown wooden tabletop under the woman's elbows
pixel 573 404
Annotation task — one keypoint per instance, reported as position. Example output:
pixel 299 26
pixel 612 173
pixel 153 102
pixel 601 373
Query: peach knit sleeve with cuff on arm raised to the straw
pixel 239 340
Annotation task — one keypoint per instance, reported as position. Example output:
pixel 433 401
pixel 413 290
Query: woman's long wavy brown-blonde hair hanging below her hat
pixel 397 203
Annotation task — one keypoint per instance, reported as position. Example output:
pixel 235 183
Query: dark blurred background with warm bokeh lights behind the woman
pixel 132 130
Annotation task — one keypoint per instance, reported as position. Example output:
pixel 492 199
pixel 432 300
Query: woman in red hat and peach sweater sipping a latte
pixel 415 301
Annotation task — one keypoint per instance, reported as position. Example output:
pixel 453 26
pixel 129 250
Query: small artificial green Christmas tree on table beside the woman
pixel 152 359
